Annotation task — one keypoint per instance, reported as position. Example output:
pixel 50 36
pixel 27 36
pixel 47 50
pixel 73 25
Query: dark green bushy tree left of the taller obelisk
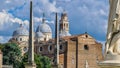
pixel 11 54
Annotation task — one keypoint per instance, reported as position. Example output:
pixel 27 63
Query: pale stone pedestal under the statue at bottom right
pixel 111 61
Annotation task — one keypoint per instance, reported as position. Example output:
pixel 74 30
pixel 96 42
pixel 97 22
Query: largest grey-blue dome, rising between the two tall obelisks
pixel 44 28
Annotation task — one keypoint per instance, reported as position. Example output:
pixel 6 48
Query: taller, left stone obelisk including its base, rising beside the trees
pixel 31 63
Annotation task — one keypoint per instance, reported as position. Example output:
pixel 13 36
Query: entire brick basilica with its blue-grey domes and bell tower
pixel 76 51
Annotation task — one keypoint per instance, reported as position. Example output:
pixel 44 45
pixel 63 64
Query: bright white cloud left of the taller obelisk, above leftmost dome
pixel 7 20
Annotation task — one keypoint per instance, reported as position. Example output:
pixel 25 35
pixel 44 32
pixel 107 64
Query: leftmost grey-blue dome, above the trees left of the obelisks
pixel 21 31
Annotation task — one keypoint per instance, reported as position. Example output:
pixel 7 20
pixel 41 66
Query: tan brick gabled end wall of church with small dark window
pixel 85 48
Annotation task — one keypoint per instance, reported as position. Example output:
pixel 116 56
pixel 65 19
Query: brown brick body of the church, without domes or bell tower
pixel 81 51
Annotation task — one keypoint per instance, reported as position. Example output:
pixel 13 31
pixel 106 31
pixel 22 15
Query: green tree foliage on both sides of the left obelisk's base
pixel 12 56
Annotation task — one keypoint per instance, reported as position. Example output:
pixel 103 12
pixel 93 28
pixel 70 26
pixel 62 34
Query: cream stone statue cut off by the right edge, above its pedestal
pixel 113 34
